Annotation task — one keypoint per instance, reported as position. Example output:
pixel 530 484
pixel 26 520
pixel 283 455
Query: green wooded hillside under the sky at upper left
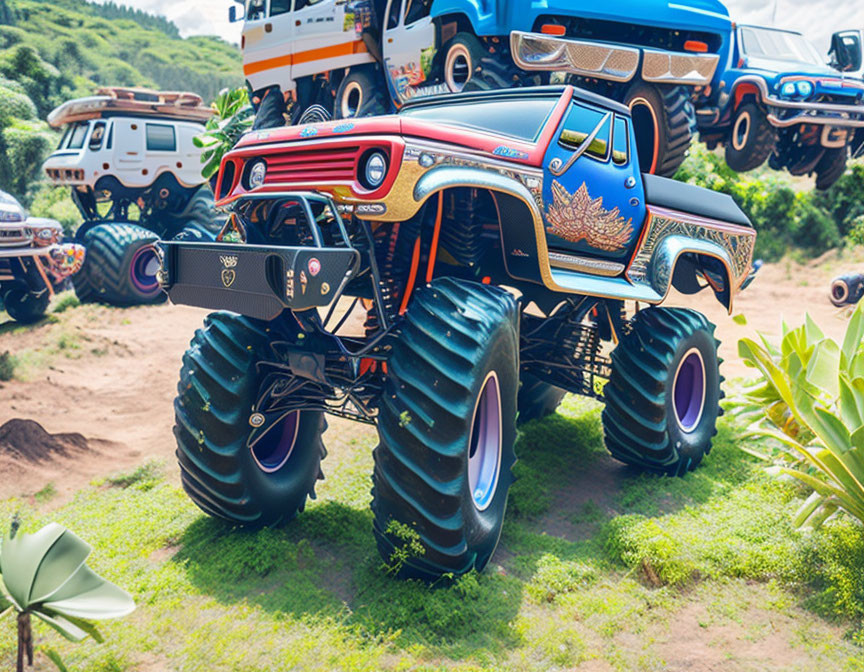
pixel 84 45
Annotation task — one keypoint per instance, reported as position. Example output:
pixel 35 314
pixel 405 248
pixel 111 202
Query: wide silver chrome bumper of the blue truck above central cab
pixel 614 62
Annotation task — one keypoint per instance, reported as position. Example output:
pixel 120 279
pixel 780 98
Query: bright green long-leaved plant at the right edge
pixel 812 398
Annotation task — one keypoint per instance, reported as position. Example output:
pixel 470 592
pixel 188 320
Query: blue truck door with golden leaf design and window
pixel 595 202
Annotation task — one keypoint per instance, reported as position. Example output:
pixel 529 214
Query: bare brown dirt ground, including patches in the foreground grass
pixel 103 404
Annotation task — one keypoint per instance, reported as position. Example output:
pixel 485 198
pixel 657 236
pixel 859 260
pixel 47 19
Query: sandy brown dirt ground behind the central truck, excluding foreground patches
pixel 118 386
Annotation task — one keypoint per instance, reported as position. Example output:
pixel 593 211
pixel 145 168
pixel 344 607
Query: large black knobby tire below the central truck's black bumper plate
pixel 263 485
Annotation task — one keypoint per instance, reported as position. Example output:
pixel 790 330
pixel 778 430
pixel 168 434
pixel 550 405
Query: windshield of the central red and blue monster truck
pixel 519 118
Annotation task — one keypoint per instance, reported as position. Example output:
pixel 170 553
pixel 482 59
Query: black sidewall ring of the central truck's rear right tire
pixel 695 444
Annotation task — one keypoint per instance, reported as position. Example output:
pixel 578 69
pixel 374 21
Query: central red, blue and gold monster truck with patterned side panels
pixel 443 274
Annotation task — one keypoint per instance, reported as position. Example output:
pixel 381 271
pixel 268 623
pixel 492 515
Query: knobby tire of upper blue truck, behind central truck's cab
pixel 663 122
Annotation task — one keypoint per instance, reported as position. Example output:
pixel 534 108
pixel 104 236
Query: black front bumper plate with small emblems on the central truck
pixel 255 280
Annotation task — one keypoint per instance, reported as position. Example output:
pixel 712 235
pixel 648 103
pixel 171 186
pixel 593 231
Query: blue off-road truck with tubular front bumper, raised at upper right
pixel 779 102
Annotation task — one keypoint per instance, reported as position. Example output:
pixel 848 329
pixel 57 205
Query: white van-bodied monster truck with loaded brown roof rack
pixel 135 175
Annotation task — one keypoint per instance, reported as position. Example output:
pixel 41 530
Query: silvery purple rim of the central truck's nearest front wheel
pixel 484 453
